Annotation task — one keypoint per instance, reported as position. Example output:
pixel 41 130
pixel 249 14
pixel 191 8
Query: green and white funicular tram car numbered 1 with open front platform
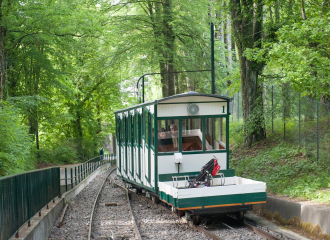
pixel 162 146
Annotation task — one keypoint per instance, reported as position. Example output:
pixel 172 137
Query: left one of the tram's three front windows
pixel 168 141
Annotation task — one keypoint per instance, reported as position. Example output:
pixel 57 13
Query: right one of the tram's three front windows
pixel 215 133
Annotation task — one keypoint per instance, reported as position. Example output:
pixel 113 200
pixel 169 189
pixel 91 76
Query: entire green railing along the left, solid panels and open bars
pixel 23 195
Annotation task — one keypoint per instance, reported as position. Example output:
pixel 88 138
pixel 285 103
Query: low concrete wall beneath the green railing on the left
pixel 43 228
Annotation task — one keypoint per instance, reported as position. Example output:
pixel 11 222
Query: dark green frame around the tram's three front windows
pixel 203 151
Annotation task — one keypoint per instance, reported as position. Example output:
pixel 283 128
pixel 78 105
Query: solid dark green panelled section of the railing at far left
pixel 24 195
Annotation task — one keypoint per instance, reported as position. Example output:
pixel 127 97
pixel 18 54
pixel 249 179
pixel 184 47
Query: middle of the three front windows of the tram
pixel 192 135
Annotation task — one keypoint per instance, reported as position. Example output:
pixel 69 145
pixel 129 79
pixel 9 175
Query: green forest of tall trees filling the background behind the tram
pixel 67 65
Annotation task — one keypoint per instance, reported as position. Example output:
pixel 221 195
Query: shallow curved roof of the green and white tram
pixel 188 97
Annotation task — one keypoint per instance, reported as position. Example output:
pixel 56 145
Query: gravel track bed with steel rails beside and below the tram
pixel 107 211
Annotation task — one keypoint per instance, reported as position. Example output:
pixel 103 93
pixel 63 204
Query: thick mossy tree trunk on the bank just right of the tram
pixel 248 35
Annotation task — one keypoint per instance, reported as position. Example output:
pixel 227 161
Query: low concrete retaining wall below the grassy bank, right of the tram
pixel 315 214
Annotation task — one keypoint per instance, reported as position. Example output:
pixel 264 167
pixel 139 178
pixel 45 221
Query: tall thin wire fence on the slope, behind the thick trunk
pixel 296 119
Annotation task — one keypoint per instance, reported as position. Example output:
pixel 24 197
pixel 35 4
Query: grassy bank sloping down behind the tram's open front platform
pixel 288 169
